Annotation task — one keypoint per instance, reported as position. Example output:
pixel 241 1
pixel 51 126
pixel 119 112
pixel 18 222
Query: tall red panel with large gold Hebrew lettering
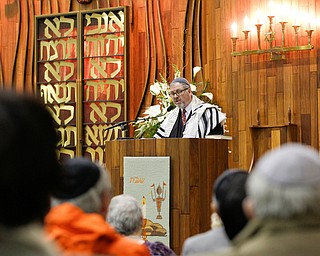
pixel 81 77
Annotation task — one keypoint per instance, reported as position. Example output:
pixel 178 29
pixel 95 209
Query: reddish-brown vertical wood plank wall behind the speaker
pixel 242 86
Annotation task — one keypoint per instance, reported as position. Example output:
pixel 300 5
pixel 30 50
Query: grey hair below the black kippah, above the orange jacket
pixel 91 200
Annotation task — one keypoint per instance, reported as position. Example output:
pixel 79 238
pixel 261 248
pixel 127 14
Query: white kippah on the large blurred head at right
pixel 290 164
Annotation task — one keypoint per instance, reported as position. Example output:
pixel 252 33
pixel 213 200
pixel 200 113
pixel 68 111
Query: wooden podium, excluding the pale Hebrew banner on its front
pixel 194 166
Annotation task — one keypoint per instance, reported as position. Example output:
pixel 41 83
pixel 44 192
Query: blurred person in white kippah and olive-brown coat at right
pixel 283 201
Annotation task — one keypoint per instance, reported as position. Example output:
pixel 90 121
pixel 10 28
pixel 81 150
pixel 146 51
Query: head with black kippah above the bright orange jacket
pixel 84 184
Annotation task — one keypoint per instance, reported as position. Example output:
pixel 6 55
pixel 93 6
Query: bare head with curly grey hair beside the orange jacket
pixel 125 215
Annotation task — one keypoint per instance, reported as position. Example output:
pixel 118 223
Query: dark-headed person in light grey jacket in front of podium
pixel 227 198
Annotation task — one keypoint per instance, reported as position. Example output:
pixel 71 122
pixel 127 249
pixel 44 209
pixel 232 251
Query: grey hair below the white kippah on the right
pixel 275 200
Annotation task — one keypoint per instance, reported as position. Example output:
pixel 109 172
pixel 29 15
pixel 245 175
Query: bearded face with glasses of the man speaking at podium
pixel 180 95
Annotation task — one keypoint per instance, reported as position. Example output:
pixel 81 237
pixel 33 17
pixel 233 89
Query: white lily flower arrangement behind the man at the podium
pixel 154 115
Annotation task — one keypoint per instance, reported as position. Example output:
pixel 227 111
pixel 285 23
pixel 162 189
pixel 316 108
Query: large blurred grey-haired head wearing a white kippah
pixel 285 183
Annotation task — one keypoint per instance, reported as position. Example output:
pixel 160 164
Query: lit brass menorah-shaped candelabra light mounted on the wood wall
pixel 276 52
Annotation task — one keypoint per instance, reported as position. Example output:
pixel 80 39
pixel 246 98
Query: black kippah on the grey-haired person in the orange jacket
pixel 79 175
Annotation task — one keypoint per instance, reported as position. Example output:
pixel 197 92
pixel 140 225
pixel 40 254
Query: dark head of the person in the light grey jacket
pixel 228 195
